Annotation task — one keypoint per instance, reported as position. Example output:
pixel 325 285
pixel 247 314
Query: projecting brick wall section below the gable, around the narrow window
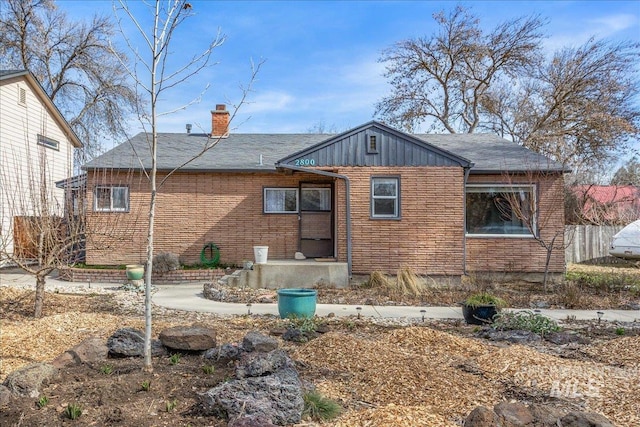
pixel 429 236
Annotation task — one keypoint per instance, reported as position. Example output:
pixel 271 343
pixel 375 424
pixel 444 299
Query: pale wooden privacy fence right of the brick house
pixel 589 242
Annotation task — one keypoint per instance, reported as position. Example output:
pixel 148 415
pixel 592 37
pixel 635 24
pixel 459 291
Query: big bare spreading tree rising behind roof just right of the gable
pixel 444 78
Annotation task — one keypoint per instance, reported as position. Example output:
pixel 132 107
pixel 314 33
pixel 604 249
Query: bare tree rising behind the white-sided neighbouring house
pixel 75 63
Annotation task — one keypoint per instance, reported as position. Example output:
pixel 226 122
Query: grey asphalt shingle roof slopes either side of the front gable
pixel 242 152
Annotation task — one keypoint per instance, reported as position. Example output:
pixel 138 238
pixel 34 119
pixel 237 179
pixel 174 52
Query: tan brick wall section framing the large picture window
pixel 511 254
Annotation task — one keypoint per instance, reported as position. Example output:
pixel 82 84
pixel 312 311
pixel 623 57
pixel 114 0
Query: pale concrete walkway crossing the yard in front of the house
pixel 189 297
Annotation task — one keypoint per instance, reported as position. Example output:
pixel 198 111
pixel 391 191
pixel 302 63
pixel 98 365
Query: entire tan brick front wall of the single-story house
pixel 194 209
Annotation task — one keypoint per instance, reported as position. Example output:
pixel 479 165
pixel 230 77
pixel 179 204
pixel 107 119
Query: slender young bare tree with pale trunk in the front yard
pixel 158 77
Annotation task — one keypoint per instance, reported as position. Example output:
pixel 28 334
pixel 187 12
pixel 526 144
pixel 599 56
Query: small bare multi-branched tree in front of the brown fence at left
pixel 46 227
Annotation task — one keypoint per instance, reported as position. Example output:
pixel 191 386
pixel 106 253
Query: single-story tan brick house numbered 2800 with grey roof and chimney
pixel 374 197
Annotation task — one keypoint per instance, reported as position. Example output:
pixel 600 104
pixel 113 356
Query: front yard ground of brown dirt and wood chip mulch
pixel 382 374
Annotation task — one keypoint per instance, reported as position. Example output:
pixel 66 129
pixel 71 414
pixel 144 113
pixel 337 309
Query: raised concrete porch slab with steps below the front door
pixel 308 273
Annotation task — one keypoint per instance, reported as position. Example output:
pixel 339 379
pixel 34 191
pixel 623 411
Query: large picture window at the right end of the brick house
pixel 500 210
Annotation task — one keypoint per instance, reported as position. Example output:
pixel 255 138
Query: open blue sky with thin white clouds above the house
pixel 321 56
